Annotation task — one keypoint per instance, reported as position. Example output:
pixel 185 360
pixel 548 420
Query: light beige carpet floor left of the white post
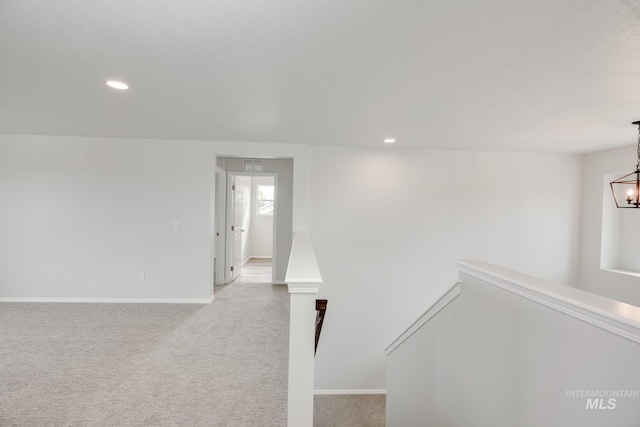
pixel 222 364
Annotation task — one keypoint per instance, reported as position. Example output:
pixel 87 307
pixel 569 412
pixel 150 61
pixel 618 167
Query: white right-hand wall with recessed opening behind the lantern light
pixel 614 285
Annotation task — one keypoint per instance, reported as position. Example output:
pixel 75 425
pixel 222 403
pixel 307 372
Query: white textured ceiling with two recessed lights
pixel 543 75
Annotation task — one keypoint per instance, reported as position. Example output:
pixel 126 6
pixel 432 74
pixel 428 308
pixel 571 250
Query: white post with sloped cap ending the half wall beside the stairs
pixel 303 278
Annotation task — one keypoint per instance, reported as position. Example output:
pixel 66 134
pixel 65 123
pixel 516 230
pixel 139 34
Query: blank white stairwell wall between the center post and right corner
pixel 388 224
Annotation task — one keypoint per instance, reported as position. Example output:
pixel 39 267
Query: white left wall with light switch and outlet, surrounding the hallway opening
pixel 81 217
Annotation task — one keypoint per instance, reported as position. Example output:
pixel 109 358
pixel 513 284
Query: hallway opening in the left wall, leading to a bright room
pixel 266 199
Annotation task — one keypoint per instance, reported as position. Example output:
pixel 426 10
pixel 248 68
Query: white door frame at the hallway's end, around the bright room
pixel 229 219
